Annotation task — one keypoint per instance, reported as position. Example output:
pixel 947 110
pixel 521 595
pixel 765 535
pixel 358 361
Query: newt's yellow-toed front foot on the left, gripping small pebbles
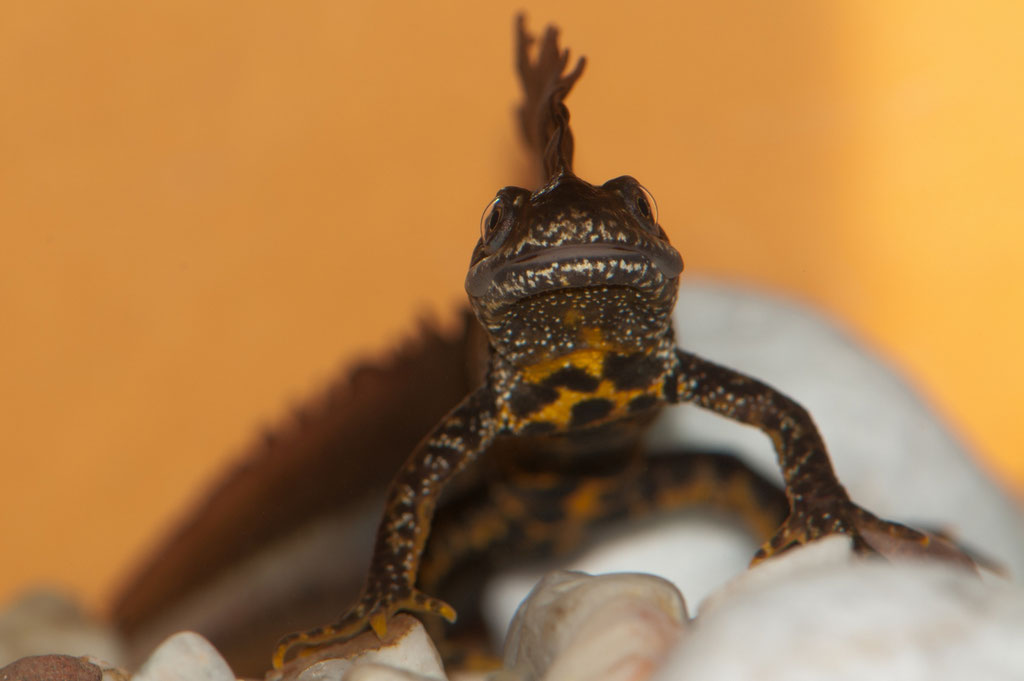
pixel 372 612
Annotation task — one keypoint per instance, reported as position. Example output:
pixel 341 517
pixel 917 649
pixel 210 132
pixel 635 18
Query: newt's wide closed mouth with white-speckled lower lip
pixel 575 266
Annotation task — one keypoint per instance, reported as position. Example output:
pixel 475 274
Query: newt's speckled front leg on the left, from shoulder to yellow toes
pixel 466 432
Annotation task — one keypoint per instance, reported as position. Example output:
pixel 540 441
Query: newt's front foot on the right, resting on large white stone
pixel 871 535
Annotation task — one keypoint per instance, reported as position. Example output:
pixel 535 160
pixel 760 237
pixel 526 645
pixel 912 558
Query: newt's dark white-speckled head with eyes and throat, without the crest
pixel 573 267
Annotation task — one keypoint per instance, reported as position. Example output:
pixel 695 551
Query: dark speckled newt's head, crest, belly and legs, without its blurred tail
pixel 574 285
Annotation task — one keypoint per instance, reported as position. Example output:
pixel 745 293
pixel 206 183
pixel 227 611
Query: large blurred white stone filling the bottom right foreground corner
pixel 819 617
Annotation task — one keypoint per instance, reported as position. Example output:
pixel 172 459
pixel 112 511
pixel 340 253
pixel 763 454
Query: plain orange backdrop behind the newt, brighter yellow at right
pixel 208 208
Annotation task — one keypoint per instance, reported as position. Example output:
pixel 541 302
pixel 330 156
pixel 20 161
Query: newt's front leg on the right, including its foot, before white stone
pixel 819 503
